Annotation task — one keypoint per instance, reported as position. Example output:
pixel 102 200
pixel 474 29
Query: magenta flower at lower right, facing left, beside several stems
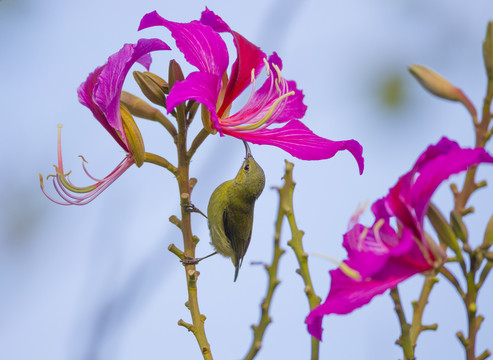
pixel 380 256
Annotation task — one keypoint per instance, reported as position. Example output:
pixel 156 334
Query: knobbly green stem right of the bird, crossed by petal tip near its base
pixel 297 246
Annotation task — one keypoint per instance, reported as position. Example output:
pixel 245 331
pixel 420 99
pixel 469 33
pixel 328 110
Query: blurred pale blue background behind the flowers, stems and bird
pixel 97 282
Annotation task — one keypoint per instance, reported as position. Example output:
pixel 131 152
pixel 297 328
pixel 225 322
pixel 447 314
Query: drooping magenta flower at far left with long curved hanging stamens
pixel 101 94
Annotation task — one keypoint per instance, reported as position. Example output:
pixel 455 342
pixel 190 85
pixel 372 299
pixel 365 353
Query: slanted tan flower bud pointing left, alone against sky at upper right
pixel 441 87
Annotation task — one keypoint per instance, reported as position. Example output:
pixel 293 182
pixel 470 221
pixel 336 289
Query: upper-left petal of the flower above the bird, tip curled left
pixel 201 45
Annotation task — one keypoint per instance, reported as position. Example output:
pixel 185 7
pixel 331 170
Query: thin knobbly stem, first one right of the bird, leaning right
pixel 265 320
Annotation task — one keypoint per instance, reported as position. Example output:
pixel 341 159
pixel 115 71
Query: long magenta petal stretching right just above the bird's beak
pixel 301 142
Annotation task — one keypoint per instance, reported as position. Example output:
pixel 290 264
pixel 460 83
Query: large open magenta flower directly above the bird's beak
pixel 277 101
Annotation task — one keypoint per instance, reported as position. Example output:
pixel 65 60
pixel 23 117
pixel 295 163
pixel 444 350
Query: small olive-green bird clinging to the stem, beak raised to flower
pixel 230 211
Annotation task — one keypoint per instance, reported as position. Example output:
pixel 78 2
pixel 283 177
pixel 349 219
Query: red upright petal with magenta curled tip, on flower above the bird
pixel 249 56
